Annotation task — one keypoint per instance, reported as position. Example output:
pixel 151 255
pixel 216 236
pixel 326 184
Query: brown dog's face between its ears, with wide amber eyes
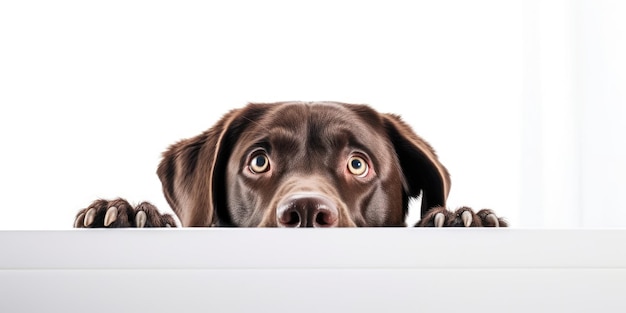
pixel 314 165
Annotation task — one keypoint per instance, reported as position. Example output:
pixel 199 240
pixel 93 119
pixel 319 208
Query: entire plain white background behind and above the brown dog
pixel 523 100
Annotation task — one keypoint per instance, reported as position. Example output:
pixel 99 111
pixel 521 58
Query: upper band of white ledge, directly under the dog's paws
pixel 238 248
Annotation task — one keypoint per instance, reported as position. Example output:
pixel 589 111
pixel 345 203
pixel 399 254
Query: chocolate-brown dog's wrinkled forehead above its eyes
pixel 317 127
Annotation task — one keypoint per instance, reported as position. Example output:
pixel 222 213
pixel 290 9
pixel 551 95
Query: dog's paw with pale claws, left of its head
pixel 119 213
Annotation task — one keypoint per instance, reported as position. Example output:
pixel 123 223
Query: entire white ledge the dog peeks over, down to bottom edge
pixel 398 270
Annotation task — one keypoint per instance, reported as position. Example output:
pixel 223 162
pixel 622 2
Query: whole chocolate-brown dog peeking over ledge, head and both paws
pixel 297 164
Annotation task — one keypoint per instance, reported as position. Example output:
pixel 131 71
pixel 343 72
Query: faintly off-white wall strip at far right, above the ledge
pixel 574 107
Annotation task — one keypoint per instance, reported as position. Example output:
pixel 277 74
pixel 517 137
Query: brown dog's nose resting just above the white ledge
pixel 307 210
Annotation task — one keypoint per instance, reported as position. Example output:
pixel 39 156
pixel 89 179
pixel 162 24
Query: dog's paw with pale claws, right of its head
pixel 463 217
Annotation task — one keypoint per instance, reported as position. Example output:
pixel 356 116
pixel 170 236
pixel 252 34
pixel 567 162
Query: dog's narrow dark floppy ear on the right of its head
pixel 423 173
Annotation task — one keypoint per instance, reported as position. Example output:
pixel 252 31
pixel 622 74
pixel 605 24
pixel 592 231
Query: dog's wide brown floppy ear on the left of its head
pixel 193 170
